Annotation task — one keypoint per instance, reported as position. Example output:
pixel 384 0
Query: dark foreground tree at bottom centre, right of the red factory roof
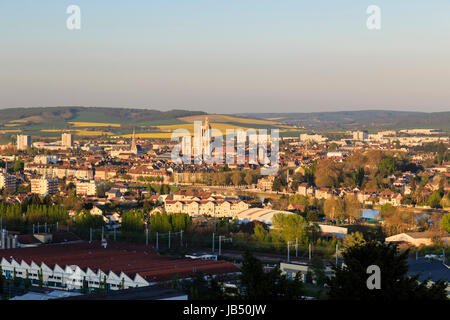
pixel 259 285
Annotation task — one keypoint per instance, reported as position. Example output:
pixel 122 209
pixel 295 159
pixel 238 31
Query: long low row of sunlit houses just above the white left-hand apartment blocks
pixel 60 171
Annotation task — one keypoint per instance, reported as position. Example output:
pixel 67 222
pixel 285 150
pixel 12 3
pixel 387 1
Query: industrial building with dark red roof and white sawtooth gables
pixel 113 265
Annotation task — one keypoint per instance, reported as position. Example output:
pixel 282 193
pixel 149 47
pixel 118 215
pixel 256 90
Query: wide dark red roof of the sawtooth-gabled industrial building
pixel 118 257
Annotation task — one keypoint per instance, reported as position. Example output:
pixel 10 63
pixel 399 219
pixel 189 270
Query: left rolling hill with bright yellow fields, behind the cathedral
pixel 116 122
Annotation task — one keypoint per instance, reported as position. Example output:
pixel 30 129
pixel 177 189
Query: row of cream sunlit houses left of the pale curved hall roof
pixel 218 208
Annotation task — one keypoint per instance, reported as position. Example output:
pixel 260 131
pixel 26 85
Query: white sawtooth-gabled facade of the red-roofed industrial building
pixel 69 277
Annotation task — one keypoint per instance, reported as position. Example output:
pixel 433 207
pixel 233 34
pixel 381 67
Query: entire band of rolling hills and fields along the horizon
pixel 119 122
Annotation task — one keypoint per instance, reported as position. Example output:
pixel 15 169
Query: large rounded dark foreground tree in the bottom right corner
pixel 351 281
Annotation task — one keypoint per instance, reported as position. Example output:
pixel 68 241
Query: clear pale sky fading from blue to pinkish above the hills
pixel 226 56
